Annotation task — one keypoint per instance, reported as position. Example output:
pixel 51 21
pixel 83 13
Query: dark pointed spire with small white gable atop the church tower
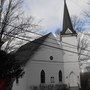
pixel 67 24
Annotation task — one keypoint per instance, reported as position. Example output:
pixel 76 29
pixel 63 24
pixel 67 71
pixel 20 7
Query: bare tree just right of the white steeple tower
pixel 82 49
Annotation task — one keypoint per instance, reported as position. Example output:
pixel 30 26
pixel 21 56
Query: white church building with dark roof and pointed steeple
pixel 47 60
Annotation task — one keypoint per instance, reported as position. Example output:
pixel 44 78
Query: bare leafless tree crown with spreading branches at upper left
pixel 12 21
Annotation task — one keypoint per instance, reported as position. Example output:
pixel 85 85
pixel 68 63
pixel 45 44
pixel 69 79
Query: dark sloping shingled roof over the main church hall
pixel 24 53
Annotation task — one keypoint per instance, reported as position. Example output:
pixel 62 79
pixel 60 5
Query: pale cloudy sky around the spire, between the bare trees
pixel 50 12
